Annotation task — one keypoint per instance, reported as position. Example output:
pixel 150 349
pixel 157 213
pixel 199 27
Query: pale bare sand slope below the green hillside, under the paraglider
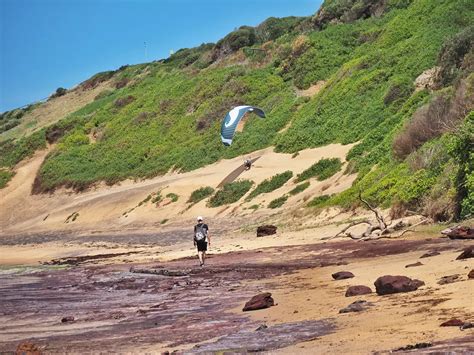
pixel 102 209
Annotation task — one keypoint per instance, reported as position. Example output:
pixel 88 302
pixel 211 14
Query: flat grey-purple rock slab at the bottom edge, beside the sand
pixel 273 337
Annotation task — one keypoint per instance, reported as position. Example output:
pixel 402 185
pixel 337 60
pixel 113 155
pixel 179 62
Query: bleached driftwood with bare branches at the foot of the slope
pixel 379 229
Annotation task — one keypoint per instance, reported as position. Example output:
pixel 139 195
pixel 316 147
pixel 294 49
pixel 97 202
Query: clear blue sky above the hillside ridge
pixel 46 44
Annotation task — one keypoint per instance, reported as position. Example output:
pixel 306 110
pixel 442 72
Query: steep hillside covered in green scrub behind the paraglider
pixel 415 146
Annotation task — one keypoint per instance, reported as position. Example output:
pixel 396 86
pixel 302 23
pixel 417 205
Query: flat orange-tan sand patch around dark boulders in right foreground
pixel 394 320
